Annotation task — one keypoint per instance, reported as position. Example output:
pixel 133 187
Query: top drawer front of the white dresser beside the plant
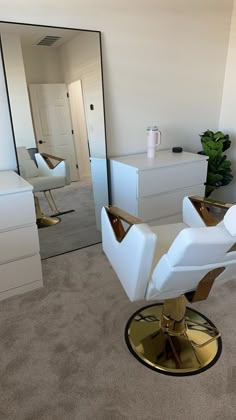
pixel 170 178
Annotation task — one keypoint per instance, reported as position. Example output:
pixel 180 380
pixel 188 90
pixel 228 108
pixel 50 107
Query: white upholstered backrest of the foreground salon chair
pixel 194 253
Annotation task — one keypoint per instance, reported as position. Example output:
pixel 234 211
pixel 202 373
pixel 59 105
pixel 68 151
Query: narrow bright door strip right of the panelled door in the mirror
pixel 80 128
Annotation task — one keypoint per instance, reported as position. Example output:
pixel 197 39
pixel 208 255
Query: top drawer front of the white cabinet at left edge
pixel 16 210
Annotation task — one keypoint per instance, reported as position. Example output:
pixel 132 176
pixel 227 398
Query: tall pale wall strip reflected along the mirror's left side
pixel 17 87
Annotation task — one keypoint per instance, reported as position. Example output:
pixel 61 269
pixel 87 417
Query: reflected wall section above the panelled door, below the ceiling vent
pixel 42 65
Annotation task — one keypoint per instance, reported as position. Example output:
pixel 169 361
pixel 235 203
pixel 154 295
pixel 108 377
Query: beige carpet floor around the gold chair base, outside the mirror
pixel 64 357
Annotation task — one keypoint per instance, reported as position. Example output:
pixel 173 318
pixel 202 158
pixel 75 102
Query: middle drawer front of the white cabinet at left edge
pixel 18 243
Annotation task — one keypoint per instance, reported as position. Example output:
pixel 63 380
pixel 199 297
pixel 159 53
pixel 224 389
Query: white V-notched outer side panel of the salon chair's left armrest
pixel 132 258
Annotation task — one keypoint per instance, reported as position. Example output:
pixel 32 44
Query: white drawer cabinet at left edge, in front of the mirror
pixel 20 263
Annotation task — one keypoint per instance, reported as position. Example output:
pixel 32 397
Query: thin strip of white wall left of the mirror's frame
pixel 7 152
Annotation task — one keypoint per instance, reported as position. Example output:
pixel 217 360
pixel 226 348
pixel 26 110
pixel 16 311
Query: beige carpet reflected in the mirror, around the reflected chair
pixel 76 230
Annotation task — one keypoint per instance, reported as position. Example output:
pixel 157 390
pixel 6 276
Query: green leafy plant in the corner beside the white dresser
pixel 219 172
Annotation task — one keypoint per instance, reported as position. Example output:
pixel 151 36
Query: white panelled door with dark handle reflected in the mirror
pixel 52 122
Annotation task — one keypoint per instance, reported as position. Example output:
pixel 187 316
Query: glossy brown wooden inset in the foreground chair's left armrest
pixel 117 215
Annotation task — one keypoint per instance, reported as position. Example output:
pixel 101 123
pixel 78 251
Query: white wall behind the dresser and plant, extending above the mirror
pixel 164 62
